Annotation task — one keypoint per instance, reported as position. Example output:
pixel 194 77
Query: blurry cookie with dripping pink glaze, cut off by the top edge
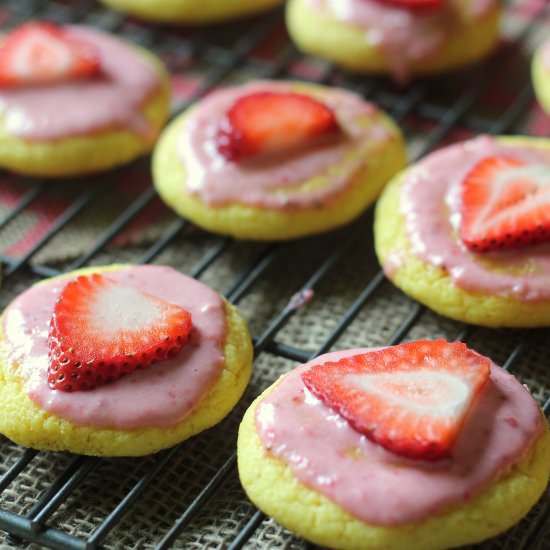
pixel 378 36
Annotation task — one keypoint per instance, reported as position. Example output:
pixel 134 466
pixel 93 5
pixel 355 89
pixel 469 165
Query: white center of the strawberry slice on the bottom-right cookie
pixel 434 393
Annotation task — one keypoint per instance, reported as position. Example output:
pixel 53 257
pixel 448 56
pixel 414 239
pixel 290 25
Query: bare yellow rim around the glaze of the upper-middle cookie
pixel 268 224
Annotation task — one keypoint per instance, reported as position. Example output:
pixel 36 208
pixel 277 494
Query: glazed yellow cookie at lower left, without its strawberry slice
pixel 142 412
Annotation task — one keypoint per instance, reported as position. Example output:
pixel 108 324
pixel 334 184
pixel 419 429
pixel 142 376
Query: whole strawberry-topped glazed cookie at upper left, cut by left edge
pixel 74 100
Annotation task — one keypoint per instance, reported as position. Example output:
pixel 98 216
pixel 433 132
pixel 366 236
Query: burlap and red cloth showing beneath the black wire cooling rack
pixel 194 463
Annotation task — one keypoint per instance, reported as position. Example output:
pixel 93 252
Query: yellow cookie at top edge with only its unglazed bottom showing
pixel 191 11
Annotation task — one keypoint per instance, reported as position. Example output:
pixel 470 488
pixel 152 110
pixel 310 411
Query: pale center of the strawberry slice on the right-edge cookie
pixel 514 191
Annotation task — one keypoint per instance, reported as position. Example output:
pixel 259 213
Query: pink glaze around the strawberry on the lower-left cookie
pixel 161 395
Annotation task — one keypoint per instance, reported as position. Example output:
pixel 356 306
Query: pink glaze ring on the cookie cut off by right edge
pixel 431 205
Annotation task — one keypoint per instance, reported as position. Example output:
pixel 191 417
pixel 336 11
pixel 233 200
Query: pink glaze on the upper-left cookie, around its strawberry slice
pixel 110 101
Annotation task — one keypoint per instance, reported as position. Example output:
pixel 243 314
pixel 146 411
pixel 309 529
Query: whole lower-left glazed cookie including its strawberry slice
pixel 119 361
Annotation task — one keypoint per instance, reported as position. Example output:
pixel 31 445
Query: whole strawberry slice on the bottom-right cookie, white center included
pixel 412 399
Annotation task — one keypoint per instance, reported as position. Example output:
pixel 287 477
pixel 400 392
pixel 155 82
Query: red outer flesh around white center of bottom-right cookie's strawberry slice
pixel 324 381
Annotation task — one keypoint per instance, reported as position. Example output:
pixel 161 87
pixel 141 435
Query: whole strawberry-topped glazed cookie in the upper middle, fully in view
pixel 276 160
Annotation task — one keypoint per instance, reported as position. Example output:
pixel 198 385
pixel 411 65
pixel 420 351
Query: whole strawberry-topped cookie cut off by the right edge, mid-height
pixel 466 231
